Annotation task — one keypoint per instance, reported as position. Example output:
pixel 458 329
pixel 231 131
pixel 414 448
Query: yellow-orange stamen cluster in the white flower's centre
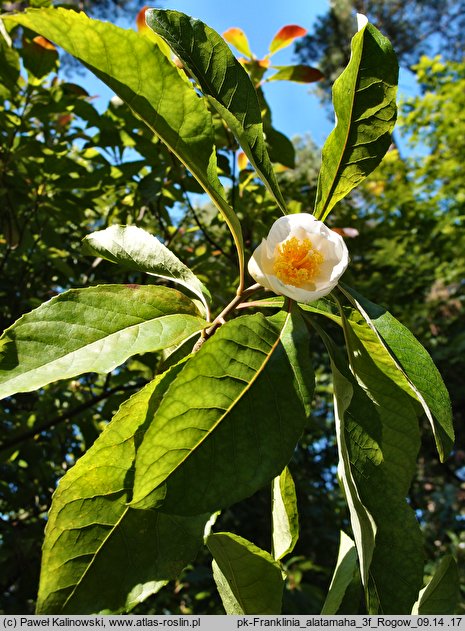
pixel 296 262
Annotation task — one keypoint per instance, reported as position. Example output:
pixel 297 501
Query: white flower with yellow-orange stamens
pixel 301 258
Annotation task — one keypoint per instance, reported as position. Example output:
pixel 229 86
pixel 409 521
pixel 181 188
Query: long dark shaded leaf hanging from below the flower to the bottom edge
pixel 381 435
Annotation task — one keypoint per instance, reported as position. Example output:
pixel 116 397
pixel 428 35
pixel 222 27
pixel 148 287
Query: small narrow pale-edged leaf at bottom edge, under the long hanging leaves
pixel 345 573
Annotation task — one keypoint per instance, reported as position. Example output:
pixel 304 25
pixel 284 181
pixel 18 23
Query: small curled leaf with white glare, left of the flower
pixel 137 249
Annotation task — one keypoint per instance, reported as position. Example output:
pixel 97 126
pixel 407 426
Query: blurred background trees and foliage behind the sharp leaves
pixel 66 170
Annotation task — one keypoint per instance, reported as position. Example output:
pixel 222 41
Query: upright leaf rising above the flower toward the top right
pixel 364 99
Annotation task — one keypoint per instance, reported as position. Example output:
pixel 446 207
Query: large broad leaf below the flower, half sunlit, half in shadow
pixel 230 421
